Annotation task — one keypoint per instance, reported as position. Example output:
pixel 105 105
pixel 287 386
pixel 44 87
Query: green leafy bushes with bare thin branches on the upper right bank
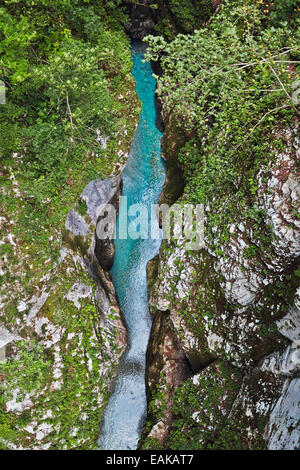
pixel 237 77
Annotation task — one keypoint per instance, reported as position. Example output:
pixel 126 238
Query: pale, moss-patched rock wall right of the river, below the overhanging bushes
pixel 232 315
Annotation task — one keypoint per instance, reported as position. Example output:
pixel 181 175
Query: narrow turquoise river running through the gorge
pixel 143 179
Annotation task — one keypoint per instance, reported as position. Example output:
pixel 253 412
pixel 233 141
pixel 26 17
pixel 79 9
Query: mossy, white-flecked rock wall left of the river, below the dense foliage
pixel 61 328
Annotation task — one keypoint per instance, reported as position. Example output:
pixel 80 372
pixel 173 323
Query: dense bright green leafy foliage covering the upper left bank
pixel 64 65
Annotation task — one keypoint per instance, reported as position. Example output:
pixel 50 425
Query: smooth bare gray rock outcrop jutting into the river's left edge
pixel 97 253
